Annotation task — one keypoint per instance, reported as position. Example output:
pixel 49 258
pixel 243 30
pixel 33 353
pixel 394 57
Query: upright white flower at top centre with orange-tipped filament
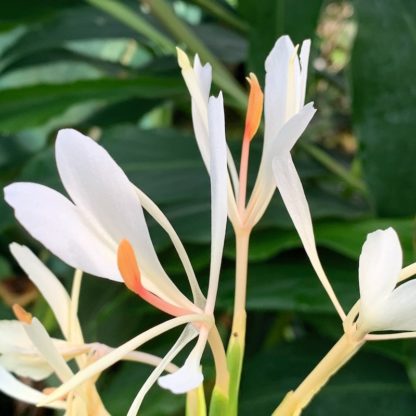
pixel 285 119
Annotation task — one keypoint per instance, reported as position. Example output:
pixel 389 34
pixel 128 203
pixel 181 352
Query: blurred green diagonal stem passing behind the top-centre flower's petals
pixel 184 34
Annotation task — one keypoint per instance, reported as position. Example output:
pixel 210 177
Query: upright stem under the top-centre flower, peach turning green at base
pixel 236 345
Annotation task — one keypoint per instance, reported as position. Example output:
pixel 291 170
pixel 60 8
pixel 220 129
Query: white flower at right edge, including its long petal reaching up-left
pixel 382 306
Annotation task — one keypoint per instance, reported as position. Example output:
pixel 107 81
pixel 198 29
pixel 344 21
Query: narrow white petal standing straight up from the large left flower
pixel 218 150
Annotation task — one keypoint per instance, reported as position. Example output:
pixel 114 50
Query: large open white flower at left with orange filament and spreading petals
pixel 103 232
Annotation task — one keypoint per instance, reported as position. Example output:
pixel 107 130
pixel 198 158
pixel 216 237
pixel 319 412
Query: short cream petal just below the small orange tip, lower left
pixel 44 343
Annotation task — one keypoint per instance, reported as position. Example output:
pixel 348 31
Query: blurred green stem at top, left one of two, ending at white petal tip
pixel 133 20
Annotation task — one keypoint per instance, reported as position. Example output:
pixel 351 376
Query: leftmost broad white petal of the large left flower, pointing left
pixel 53 220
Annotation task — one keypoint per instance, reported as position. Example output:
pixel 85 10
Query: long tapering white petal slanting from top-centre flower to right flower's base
pixel 291 189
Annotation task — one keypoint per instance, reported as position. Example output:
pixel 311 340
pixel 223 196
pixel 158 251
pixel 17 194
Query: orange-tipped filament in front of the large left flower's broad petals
pixel 129 269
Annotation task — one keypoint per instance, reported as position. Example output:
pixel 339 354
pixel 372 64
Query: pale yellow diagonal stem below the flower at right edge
pixel 341 352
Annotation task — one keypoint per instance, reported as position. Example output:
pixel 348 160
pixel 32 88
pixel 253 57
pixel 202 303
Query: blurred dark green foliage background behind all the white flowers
pixel 108 68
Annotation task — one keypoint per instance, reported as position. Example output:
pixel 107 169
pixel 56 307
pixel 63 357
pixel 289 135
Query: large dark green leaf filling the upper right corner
pixel 382 64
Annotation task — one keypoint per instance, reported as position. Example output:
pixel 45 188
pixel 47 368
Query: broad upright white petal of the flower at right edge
pixel 380 265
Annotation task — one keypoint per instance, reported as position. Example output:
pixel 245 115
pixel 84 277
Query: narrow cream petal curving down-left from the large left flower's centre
pixel 118 354
